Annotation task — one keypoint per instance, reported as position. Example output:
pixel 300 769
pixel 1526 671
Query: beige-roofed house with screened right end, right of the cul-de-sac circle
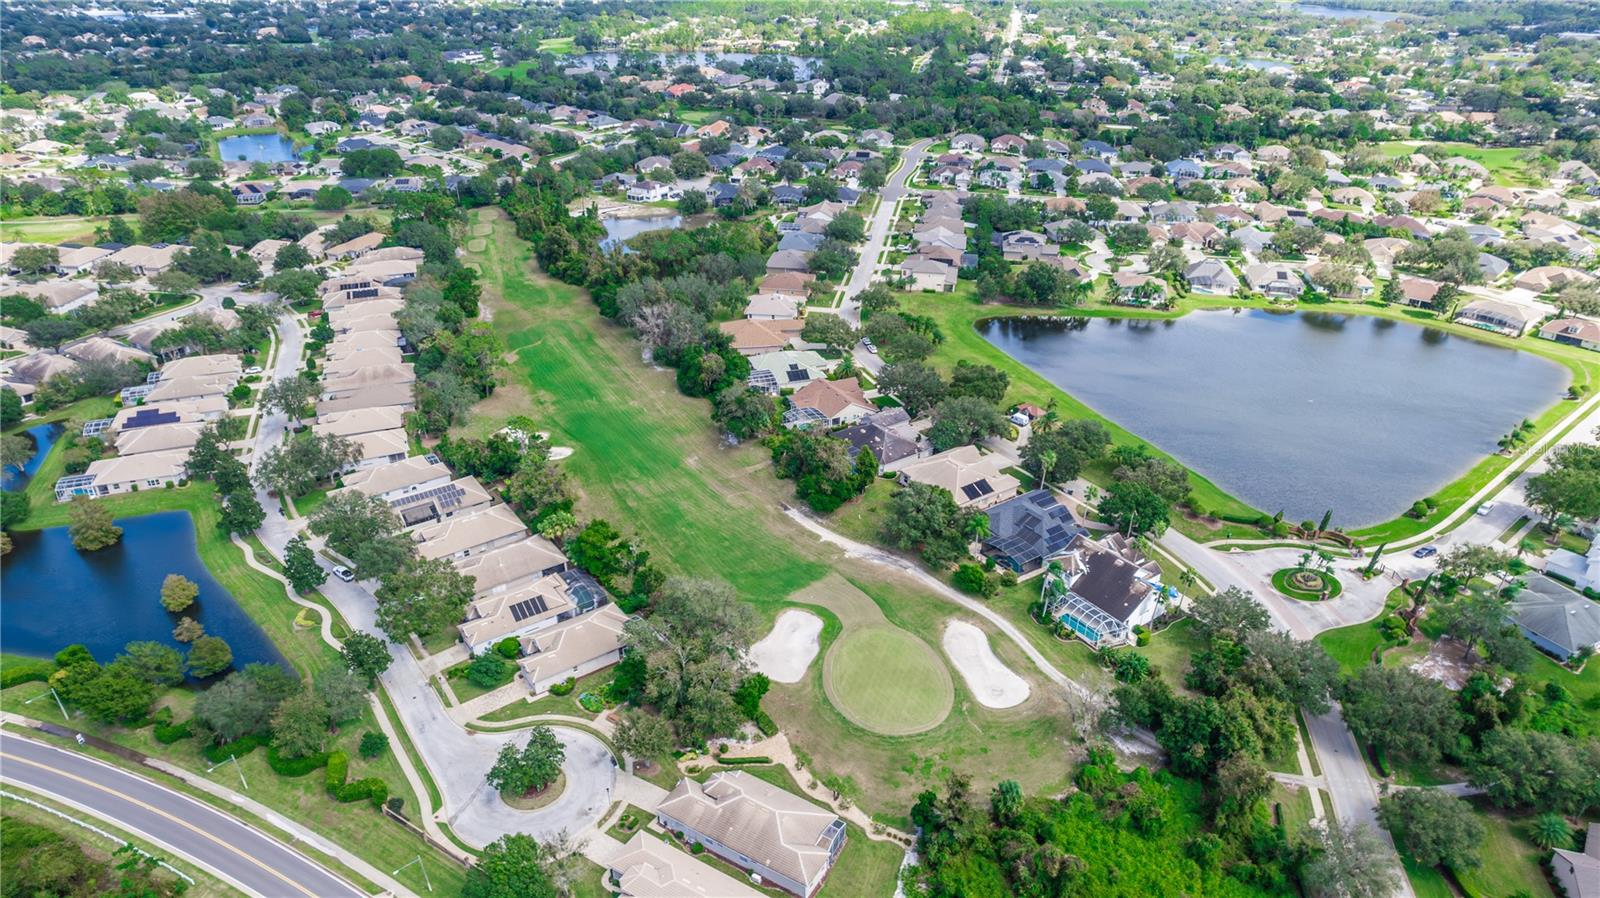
pixel 777 836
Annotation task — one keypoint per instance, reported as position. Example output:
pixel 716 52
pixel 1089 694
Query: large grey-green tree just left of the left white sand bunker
pixel 695 644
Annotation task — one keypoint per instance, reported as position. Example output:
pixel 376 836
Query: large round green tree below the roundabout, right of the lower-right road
pixel 1401 713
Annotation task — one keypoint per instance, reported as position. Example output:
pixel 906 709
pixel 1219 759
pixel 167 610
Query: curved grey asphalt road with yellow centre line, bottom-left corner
pixel 226 848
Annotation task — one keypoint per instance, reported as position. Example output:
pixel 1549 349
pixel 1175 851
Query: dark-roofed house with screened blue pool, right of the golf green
pixel 1103 590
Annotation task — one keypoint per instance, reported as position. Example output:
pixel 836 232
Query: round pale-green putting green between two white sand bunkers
pixel 887 681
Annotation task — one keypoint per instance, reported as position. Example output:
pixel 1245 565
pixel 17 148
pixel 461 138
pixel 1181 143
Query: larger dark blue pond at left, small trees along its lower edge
pixel 54 596
